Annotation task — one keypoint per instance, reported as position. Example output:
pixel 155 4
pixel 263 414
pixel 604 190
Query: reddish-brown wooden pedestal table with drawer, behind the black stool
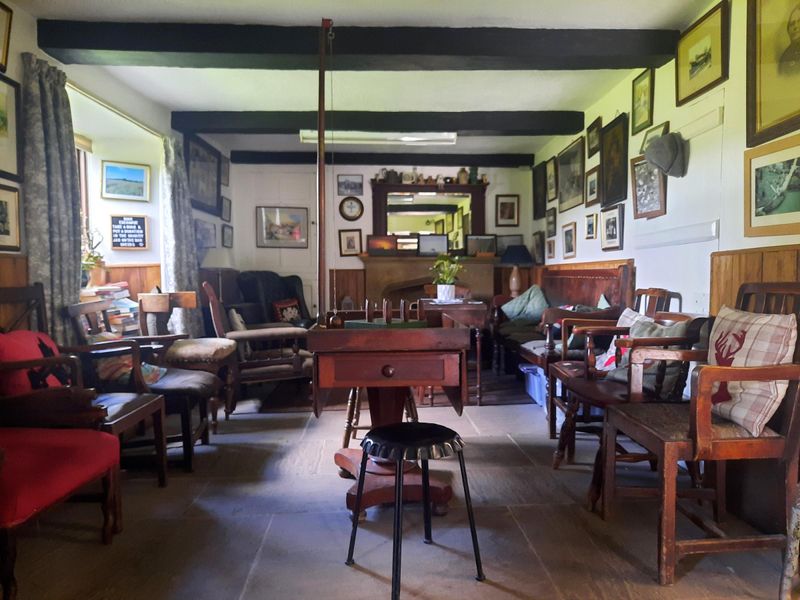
pixel 389 363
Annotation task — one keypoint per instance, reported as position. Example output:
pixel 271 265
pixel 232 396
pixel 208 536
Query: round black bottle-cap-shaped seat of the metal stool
pixel 412 441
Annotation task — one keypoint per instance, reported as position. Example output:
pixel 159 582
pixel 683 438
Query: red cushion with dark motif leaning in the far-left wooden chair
pixel 27 345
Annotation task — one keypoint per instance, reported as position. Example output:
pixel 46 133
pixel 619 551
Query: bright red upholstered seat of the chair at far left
pixel 43 466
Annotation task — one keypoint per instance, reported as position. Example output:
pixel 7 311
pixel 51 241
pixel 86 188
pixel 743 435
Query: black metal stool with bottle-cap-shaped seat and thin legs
pixel 412 441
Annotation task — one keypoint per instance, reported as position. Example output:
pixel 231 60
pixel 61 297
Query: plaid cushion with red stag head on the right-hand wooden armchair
pixel 745 339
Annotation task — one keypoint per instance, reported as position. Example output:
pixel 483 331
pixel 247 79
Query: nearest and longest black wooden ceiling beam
pixel 355 48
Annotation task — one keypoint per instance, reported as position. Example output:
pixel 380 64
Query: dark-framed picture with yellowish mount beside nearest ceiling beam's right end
pixel 701 60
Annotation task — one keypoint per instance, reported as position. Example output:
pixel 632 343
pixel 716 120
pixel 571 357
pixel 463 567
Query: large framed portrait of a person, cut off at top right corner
pixel 773 69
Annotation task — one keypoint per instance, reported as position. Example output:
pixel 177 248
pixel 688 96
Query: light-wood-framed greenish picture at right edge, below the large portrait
pixel 772 188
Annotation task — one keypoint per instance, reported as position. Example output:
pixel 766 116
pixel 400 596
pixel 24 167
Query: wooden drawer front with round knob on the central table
pixel 376 369
